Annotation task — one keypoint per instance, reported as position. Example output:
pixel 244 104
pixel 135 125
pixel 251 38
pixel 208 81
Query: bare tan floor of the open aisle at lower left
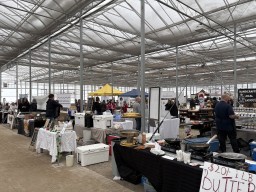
pixel 23 170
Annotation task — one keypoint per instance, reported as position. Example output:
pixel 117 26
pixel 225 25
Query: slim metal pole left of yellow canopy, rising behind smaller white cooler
pixel 81 66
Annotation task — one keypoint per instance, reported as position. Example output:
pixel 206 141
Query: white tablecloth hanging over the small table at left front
pixel 47 140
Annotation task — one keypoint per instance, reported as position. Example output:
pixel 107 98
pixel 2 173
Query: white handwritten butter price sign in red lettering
pixel 217 178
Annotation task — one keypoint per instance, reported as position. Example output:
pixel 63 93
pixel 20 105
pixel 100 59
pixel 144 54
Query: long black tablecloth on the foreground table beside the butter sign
pixel 164 175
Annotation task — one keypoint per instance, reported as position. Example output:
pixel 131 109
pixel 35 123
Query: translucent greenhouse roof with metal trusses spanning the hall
pixel 90 40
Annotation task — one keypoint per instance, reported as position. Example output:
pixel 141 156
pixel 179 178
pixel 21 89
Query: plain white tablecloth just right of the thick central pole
pixel 169 128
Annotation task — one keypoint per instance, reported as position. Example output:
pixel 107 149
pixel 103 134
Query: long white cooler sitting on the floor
pixel 92 154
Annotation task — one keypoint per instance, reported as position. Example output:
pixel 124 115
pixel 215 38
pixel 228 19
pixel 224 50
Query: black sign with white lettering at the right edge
pixel 246 96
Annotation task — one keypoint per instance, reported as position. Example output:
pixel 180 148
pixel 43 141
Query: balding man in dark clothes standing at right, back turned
pixel 225 122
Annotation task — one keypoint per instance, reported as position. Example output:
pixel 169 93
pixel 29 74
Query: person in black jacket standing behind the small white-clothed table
pixel 51 107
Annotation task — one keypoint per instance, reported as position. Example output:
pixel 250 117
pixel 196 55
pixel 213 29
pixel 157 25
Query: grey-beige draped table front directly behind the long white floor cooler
pixel 99 134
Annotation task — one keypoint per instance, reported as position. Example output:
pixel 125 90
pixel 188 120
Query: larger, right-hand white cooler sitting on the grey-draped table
pixel 102 121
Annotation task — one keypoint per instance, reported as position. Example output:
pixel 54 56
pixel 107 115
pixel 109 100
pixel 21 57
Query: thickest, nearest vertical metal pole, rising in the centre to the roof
pixel 142 62
